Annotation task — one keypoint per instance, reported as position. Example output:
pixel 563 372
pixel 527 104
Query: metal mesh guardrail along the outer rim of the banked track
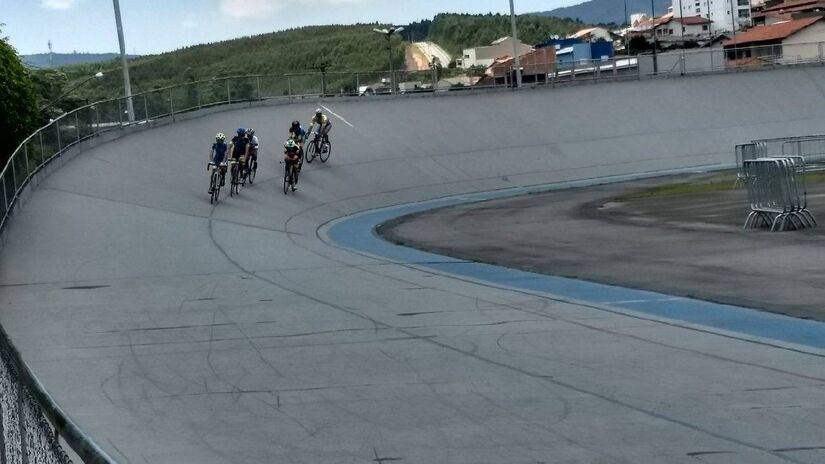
pixel 32 424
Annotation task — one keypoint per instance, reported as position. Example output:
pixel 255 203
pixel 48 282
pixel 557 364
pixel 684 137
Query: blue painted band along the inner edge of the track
pixel 357 233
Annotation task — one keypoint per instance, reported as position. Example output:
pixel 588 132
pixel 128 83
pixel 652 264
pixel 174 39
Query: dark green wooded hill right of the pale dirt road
pixel 455 32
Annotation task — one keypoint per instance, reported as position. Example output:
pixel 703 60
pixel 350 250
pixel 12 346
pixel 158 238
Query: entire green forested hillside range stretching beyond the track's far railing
pixel 336 49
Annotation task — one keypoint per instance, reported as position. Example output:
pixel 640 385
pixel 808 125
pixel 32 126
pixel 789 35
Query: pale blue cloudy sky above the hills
pixel 155 26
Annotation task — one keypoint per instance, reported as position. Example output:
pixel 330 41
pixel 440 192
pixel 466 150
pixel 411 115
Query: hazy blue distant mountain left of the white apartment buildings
pixel 607 11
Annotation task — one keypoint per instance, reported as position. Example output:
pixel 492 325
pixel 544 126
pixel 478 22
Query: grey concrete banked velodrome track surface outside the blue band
pixel 177 332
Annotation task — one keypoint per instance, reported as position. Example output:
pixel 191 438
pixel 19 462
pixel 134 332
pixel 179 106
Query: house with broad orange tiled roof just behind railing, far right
pixel 791 41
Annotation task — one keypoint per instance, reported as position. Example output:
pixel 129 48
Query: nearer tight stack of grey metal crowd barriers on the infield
pixel 777 193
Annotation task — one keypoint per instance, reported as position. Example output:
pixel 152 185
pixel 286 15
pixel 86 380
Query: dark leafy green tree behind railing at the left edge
pixel 18 101
